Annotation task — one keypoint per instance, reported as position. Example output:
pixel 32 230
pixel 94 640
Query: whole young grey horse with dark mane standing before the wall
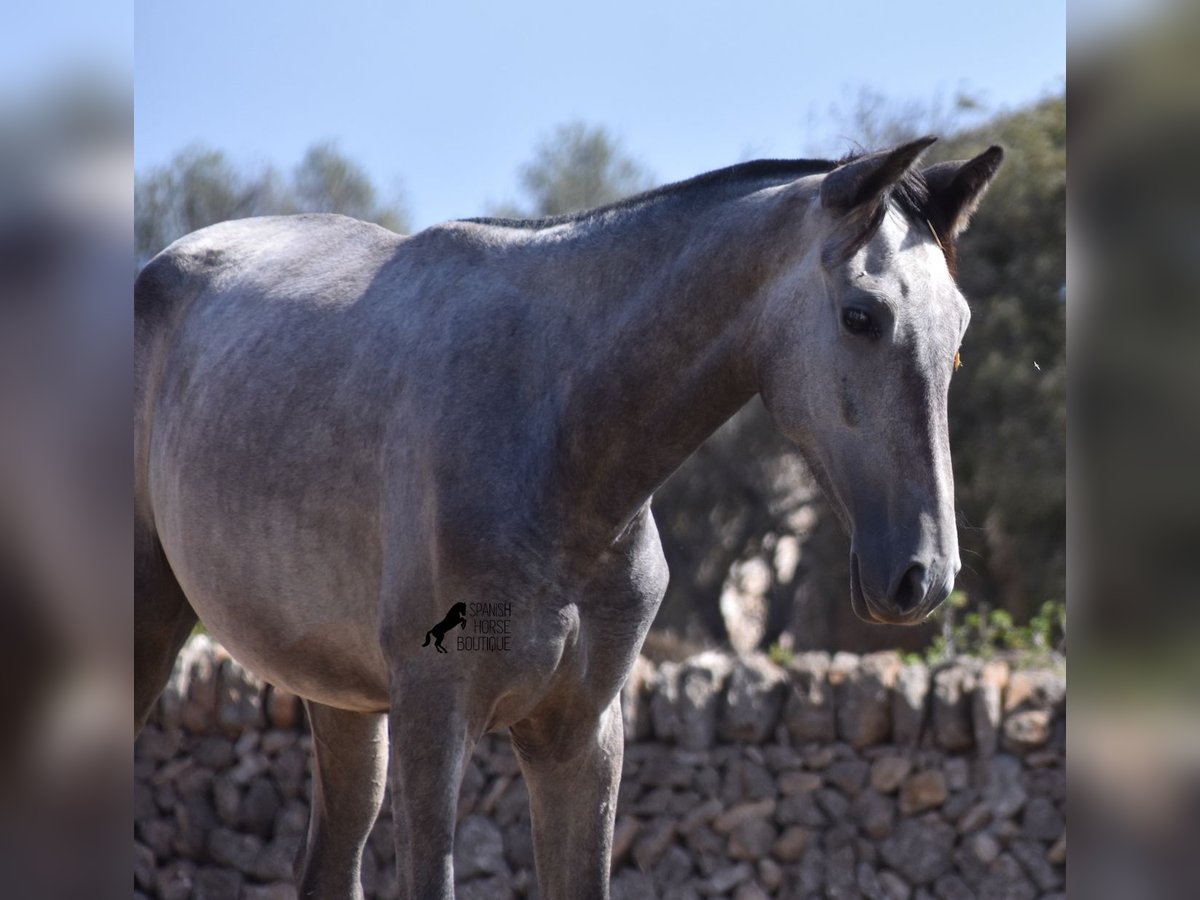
pixel 341 434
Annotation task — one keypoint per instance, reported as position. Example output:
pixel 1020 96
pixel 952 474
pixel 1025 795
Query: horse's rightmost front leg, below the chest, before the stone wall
pixel 573 799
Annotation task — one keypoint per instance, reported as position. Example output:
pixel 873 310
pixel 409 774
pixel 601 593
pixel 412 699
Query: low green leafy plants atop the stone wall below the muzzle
pixel 987 633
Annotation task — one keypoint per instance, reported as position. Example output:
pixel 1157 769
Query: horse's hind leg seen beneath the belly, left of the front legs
pixel 350 776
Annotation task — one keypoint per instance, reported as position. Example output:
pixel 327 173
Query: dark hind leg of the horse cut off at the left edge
pixel 163 622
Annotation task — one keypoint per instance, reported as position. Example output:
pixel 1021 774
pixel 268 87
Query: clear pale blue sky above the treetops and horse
pixel 443 101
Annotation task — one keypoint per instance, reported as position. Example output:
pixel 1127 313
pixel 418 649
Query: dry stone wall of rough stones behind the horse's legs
pixel 836 777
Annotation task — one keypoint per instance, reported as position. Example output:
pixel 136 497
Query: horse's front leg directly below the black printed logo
pixel 431 745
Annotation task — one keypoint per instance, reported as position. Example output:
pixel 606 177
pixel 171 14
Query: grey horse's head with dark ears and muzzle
pixel 855 356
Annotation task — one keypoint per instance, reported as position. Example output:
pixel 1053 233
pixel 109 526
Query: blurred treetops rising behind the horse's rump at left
pixel 201 187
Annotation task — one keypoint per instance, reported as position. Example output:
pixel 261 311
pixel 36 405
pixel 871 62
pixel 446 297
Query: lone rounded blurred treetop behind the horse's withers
pixel 577 167
